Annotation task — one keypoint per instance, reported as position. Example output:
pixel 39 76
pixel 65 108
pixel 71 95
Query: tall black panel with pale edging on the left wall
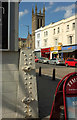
pixel 5 23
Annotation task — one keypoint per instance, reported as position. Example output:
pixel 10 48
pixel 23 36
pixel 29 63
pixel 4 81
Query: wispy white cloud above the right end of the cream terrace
pixel 68 10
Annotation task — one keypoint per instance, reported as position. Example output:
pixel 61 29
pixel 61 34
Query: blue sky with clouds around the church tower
pixel 54 11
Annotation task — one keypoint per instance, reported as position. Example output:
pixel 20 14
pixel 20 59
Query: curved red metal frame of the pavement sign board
pixel 61 86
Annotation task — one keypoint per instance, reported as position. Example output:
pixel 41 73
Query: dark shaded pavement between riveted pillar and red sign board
pixel 46 90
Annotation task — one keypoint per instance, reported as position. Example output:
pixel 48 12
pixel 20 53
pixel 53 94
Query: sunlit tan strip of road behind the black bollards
pixel 60 71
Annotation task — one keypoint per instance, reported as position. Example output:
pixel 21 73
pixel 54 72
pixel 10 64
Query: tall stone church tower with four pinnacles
pixel 38 20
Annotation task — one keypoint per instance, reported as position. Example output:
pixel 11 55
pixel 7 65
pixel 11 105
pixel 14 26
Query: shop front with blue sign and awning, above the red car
pixel 68 52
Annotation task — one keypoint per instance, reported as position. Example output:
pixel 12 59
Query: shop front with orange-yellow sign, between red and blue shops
pixel 54 52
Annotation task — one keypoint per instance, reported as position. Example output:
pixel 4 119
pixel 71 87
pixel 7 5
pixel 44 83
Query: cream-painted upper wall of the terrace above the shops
pixel 62 36
